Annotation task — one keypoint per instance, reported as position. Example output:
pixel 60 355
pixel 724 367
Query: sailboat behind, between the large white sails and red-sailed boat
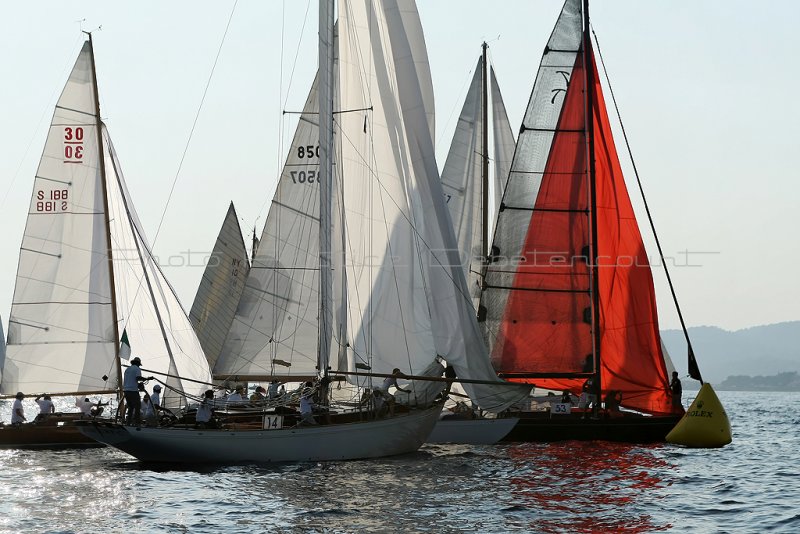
pixel 467 184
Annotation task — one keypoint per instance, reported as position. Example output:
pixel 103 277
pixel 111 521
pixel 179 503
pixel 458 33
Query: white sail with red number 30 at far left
pixel 60 330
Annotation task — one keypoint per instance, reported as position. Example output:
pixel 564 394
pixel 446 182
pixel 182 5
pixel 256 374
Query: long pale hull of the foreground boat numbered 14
pixel 350 441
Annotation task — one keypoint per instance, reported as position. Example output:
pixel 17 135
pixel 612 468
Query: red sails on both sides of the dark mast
pixel 546 325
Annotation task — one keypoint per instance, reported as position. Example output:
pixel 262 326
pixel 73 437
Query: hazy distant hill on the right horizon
pixel 757 351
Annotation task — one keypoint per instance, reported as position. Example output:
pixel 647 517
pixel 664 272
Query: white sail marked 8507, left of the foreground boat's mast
pixel 274 331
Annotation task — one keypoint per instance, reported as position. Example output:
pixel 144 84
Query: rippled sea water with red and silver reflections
pixel 752 485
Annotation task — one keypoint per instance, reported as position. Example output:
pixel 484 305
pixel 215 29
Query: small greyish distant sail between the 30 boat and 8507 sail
pixel 220 288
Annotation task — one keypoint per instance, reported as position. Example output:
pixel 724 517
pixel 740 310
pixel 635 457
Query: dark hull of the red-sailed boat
pixel 633 428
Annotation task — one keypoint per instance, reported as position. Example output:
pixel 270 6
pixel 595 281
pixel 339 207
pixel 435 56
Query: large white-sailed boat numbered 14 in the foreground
pixel 346 285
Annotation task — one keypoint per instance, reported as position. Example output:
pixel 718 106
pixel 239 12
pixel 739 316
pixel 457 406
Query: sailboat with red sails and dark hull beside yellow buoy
pixel 568 295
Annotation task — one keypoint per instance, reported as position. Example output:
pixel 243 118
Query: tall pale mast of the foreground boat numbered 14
pixel 325 95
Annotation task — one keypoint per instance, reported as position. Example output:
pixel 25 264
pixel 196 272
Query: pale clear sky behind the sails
pixel 706 89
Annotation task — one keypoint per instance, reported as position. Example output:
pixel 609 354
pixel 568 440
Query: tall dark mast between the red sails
pixel 588 66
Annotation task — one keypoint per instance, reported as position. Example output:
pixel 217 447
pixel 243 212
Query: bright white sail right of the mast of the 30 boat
pixel 158 328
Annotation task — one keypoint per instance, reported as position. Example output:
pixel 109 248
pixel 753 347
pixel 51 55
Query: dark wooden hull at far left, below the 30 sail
pixel 55 433
